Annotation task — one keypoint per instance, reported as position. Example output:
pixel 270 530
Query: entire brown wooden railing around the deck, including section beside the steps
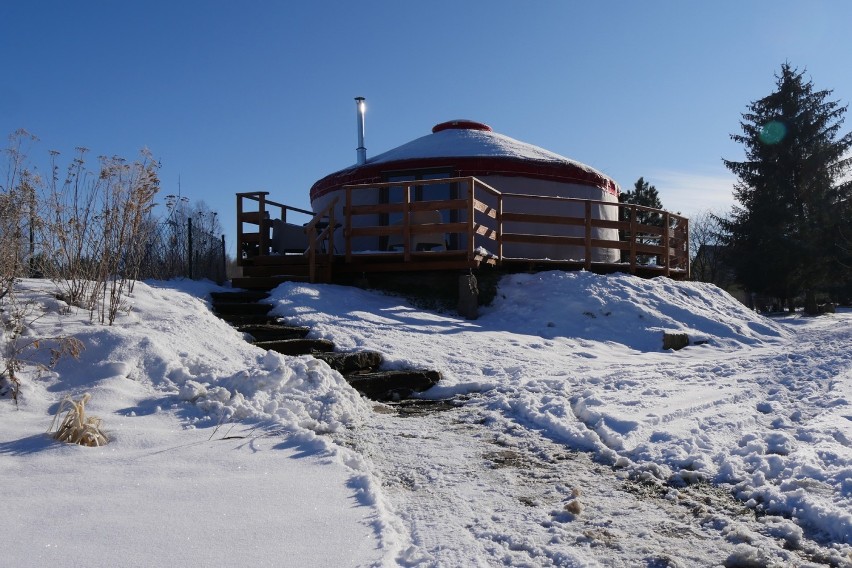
pixel 482 220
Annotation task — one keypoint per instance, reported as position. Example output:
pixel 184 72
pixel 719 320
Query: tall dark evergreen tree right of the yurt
pixel 783 234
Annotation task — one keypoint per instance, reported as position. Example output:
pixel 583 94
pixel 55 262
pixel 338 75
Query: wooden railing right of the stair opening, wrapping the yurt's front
pixel 482 213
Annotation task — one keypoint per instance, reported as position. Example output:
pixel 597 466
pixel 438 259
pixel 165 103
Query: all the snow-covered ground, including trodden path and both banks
pixel 573 440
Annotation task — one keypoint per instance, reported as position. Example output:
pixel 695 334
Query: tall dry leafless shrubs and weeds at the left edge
pixel 93 233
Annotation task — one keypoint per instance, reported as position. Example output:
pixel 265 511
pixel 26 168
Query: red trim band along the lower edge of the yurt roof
pixel 466 166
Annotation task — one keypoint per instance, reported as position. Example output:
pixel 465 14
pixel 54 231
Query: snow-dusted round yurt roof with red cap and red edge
pixel 468 148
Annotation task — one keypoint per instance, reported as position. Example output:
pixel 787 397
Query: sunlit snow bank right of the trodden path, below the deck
pixel 763 405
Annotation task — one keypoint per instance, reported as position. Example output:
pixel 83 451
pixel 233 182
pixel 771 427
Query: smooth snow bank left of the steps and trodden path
pixel 170 488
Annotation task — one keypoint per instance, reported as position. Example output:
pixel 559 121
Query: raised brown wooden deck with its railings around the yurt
pixel 334 248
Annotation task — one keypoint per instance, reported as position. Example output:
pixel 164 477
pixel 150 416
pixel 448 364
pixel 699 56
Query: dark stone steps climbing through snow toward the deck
pixel 248 313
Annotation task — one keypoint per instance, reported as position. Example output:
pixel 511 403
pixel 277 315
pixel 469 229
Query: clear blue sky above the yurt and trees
pixel 258 95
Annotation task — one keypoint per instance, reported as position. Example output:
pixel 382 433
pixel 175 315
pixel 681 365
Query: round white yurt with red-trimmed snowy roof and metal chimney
pixel 463 148
